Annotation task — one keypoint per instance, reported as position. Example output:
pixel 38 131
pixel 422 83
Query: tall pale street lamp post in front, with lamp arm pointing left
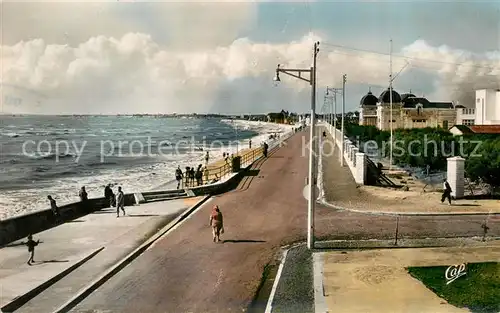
pixel 297 73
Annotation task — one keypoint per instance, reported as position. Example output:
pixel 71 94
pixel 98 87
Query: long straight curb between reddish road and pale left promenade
pixel 83 293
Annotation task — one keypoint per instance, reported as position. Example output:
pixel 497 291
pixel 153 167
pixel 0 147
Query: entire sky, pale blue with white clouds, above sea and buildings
pixel 122 57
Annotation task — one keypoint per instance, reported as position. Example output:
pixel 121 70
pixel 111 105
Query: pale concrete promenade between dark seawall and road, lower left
pixel 64 246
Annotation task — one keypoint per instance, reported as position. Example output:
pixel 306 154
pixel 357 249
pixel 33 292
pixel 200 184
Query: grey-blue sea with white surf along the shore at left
pixel 57 155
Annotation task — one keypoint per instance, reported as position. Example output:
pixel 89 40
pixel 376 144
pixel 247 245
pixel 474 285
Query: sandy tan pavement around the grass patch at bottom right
pixel 380 279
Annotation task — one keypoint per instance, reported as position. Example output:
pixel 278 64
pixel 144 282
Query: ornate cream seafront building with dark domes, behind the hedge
pixel 408 111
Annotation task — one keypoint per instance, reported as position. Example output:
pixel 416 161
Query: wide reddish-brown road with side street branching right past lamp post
pixel 187 272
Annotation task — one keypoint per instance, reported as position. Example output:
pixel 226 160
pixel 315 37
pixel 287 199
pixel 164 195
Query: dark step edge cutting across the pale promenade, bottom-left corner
pixel 21 300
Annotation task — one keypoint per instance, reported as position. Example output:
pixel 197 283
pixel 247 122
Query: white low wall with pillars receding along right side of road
pixel 355 160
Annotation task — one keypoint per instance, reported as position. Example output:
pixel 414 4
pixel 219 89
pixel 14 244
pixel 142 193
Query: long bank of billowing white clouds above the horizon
pixel 134 73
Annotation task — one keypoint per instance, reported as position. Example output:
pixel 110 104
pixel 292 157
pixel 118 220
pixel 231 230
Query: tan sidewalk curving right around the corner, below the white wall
pixel 341 191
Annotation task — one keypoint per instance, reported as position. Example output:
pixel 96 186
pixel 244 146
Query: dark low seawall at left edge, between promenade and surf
pixel 19 227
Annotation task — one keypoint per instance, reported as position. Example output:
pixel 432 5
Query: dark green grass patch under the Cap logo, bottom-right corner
pixel 478 290
